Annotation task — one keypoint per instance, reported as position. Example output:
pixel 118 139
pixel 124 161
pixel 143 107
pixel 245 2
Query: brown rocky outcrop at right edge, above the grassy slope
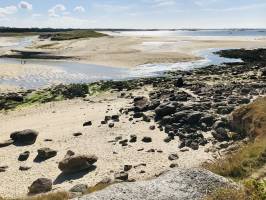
pixel 250 120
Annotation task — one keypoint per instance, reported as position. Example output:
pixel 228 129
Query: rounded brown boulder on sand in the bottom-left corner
pixel 41 185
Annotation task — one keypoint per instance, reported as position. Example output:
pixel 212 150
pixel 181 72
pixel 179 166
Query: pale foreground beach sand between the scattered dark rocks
pixel 58 121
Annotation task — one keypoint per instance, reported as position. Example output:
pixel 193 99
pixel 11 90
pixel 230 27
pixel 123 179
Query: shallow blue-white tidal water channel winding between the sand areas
pixel 63 71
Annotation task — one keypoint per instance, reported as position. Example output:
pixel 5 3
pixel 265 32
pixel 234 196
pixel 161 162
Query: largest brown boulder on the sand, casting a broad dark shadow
pixel 74 163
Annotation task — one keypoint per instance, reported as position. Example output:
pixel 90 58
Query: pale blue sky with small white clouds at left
pixel 133 13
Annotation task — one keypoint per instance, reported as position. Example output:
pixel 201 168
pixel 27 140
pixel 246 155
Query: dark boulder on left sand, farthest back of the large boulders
pixel 25 137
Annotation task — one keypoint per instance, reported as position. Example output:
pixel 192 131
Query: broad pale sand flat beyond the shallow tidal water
pixel 131 51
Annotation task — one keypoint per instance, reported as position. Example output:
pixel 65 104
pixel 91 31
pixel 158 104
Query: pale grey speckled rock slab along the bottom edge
pixel 178 184
